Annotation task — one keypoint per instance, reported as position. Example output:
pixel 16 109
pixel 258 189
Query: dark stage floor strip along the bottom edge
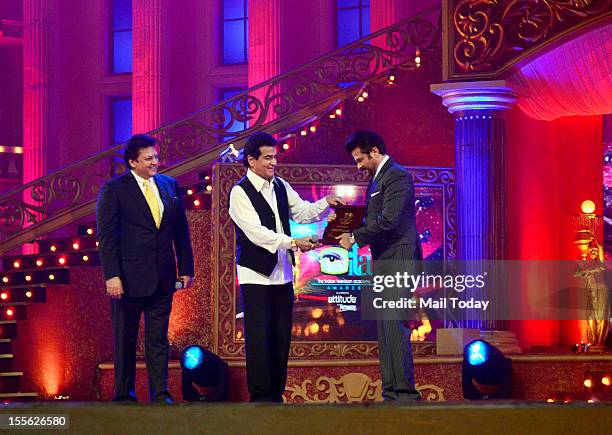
pixel 425 418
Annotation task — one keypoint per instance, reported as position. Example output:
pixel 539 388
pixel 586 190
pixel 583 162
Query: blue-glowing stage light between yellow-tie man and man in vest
pixel 203 376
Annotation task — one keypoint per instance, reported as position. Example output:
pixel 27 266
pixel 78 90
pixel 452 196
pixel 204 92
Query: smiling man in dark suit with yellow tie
pixel 142 229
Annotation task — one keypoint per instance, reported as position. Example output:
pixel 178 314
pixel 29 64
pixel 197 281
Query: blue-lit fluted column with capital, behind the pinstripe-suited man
pixel 480 141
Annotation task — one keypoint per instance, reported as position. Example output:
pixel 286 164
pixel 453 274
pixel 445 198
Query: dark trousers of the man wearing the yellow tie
pixel 125 314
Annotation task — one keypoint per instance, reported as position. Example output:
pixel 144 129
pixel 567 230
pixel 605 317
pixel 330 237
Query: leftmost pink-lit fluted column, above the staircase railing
pixel 36 88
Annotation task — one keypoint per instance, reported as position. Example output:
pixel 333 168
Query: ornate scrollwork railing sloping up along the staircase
pixel 278 104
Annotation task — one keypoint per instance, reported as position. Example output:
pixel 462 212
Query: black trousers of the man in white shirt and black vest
pixel 267 332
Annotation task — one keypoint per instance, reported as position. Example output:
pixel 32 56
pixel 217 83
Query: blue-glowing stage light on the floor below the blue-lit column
pixel 486 372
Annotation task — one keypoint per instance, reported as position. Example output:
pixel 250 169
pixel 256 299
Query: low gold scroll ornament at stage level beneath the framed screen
pixel 350 388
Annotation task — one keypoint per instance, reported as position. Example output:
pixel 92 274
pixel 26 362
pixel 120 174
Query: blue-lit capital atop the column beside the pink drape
pixel 482 95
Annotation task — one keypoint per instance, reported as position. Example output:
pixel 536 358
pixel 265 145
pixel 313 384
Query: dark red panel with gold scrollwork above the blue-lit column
pixel 487 37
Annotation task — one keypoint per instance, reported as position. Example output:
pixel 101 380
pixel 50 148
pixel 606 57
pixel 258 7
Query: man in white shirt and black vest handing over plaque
pixel 261 205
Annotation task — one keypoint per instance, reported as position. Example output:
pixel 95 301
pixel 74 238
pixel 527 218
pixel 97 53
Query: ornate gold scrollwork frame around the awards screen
pixel 225 175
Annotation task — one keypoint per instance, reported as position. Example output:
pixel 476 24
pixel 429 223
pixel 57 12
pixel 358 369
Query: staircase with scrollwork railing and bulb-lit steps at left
pixel 278 106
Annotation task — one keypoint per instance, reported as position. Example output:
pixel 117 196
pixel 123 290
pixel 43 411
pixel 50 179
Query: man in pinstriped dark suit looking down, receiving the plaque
pixel 389 228
